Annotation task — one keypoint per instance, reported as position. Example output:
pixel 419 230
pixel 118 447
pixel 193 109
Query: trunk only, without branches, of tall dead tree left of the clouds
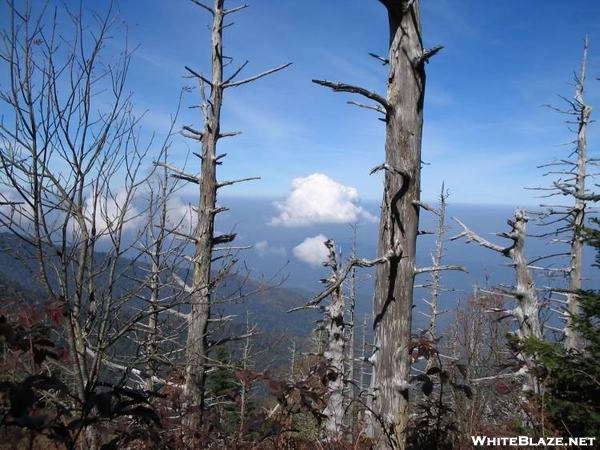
pixel 197 342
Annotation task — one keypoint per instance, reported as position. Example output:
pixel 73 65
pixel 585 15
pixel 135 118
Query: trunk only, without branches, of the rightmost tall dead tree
pixel 573 339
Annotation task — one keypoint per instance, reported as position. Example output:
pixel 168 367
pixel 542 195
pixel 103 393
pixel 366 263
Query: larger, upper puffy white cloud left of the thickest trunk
pixel 318 199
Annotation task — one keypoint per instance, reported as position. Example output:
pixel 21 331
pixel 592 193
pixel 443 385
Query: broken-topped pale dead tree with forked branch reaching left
pixel 527 309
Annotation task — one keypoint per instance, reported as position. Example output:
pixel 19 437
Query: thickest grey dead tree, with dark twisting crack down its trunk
pixel 393 297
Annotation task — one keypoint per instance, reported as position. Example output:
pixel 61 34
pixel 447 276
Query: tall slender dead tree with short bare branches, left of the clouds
pixel 205 242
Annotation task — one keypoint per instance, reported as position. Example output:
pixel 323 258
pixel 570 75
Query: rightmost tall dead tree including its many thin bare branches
pixel 572 181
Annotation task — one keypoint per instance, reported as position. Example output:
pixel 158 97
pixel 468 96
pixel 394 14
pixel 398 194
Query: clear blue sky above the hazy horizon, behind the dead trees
pixel 485 128
